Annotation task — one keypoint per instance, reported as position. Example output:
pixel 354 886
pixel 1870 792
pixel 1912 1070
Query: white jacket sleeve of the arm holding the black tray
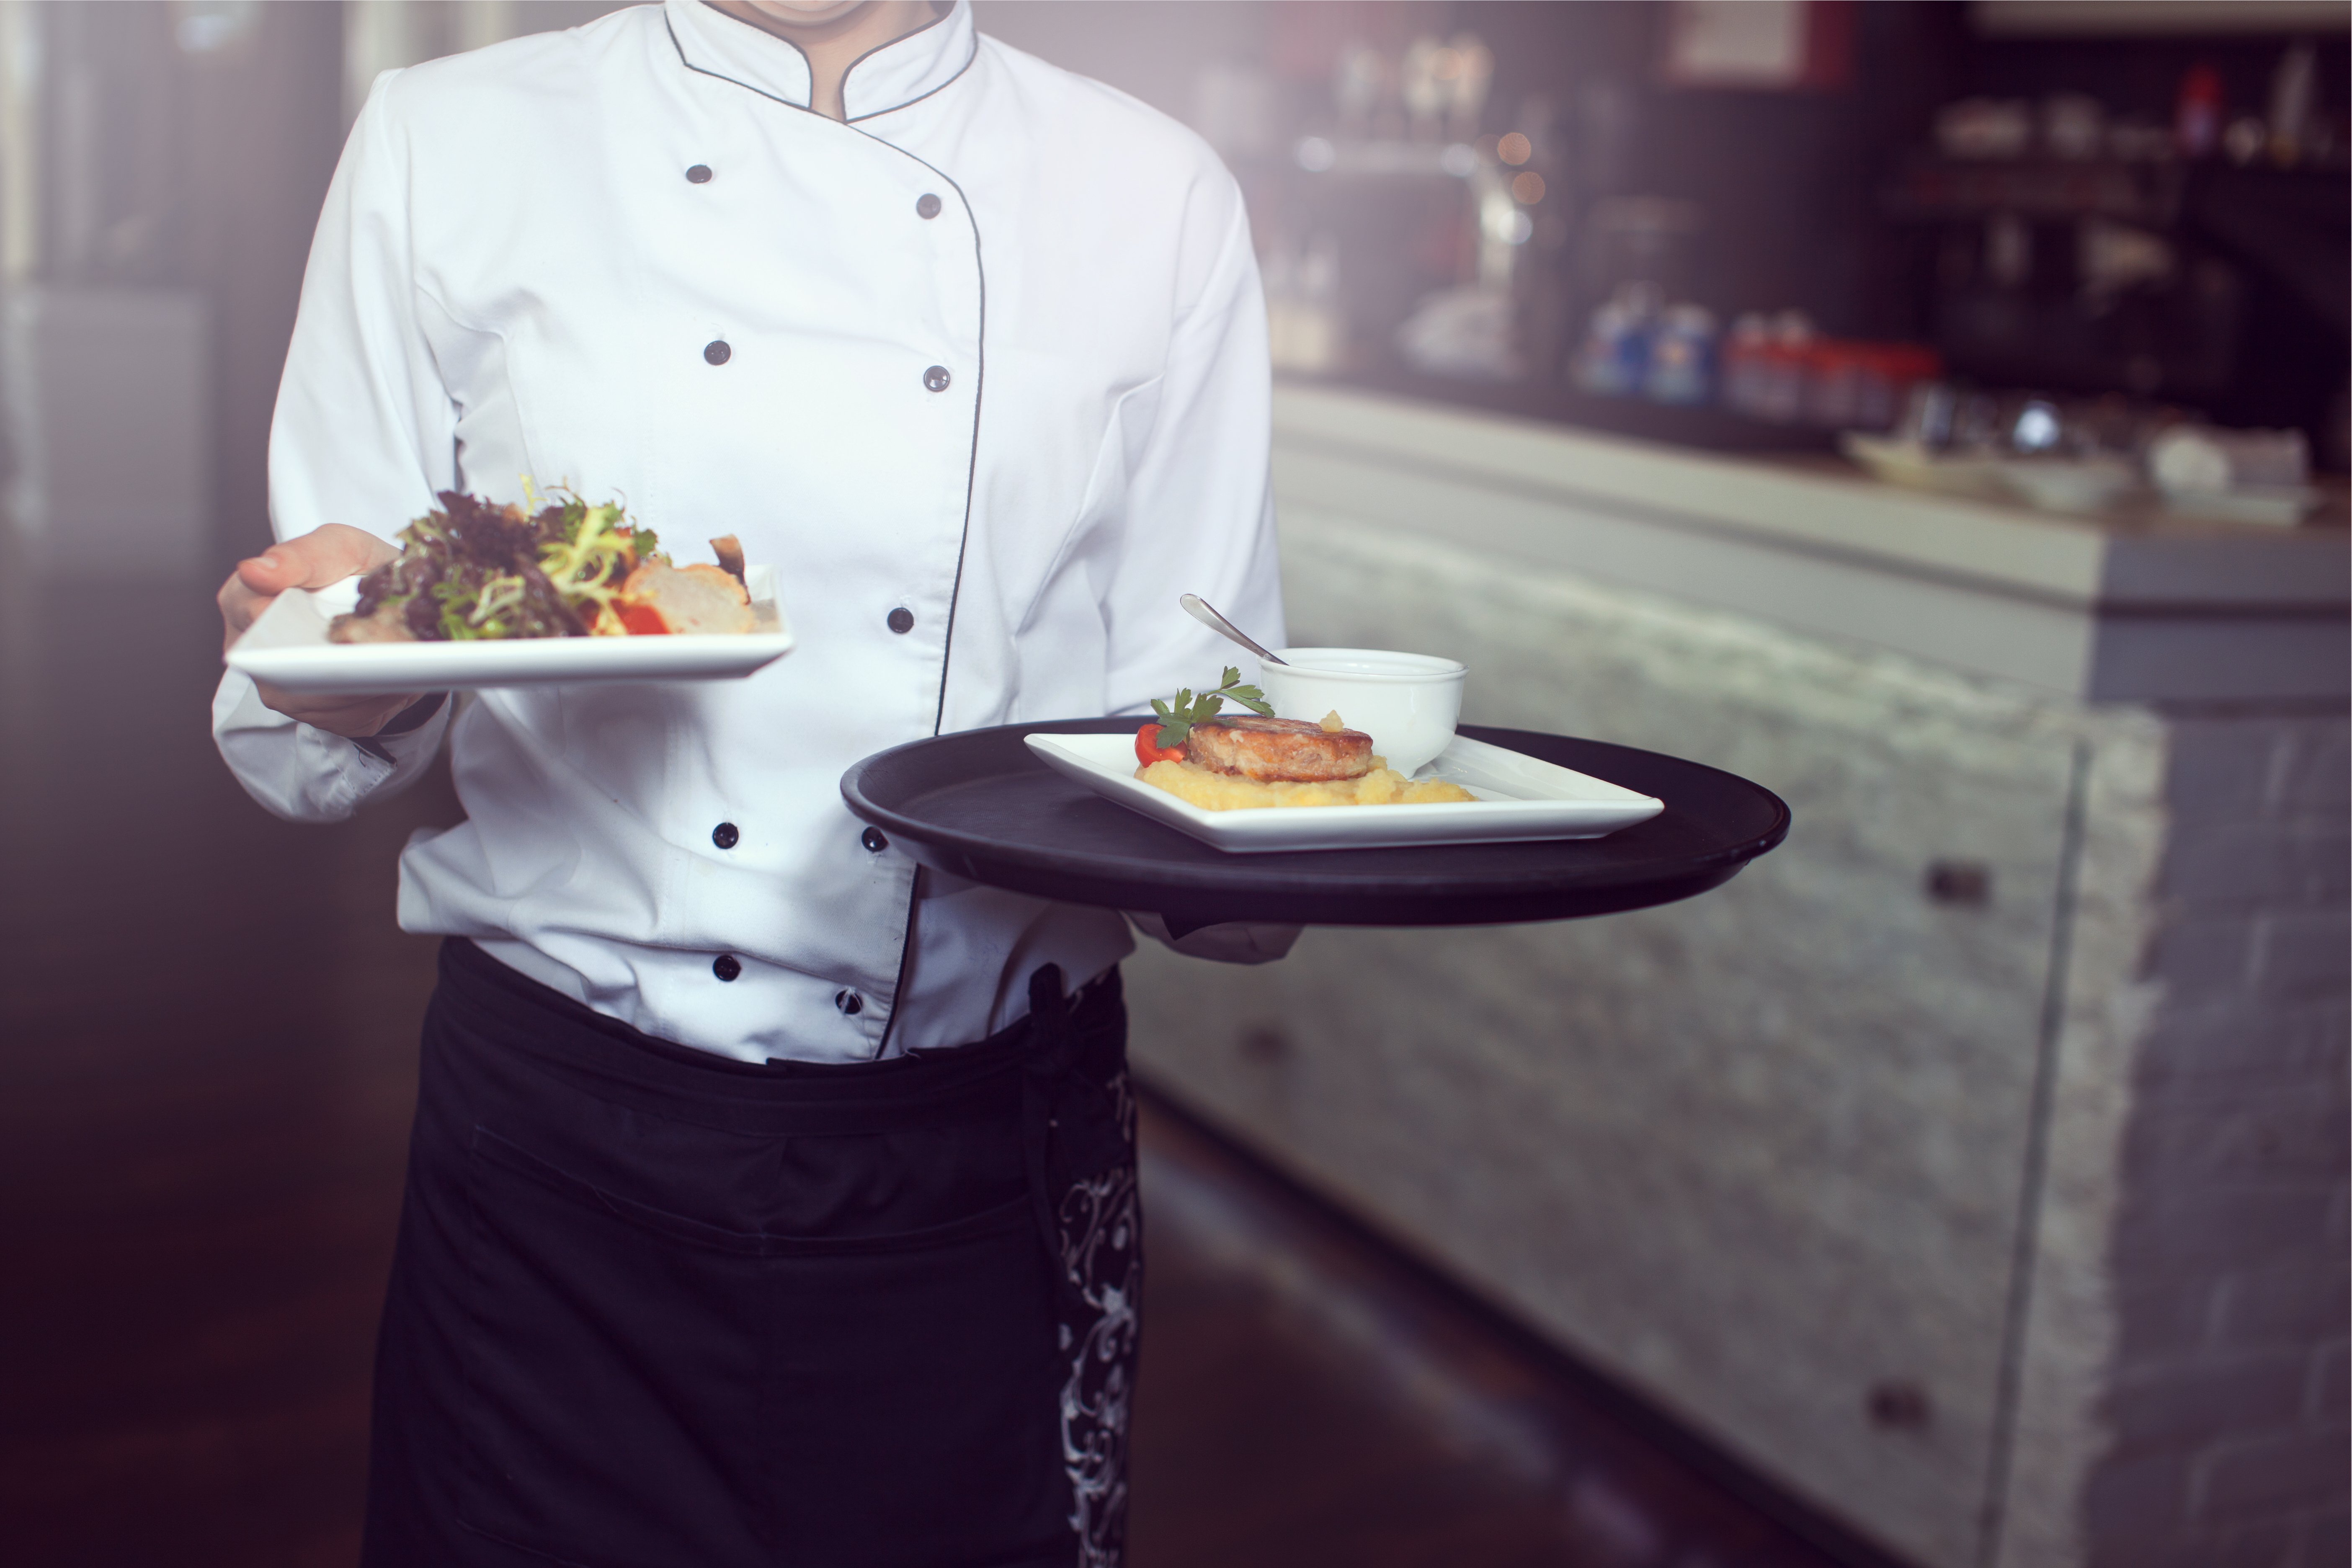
pixel 1201 511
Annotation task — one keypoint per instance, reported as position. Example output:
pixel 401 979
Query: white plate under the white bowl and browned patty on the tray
pixel 1518 798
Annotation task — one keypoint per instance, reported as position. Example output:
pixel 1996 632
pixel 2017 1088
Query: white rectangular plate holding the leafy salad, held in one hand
pixel 288 648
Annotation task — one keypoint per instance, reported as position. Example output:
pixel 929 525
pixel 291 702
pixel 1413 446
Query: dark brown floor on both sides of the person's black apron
pixel 206 1076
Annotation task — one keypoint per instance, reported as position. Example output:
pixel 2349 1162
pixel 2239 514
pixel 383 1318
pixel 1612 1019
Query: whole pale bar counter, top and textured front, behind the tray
pixel 1913 1162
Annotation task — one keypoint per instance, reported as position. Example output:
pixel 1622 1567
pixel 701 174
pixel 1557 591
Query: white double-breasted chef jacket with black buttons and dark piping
pixel 1029 420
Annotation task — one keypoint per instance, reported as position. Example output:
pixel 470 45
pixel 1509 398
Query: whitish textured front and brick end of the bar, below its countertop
pixel 1817 1134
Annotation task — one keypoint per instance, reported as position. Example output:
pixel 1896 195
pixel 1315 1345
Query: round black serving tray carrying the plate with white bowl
pixel 982 808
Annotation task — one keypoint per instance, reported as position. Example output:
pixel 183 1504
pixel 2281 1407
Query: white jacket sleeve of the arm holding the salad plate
pixel 363 434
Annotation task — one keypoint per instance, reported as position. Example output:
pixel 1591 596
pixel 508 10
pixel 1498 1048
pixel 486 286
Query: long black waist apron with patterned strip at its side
pixel 657 1308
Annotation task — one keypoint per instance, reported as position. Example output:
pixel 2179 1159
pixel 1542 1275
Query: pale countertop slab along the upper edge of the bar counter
pixel 2130 608
